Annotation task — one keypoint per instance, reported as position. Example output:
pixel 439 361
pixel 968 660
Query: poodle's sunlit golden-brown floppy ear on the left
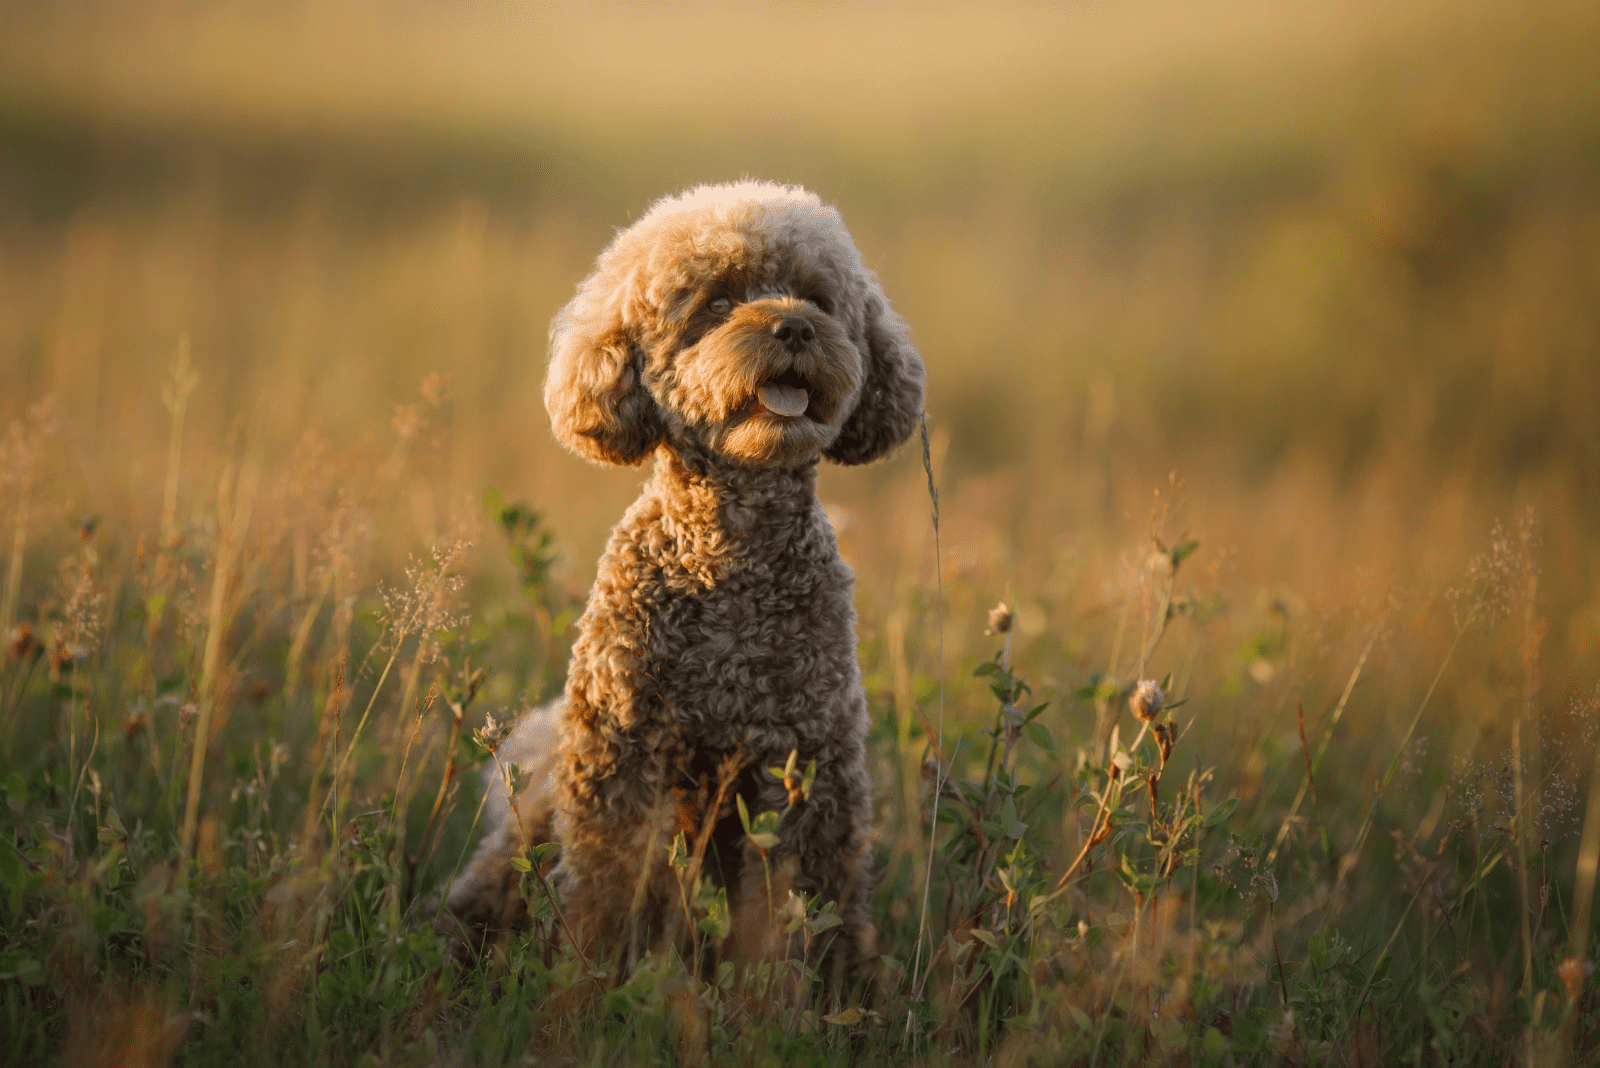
pixel 598 402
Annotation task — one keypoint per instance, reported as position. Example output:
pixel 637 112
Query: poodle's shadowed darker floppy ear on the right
pixel 890 400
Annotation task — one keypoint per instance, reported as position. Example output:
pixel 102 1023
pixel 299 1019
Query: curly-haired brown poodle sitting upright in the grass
pixel 735 335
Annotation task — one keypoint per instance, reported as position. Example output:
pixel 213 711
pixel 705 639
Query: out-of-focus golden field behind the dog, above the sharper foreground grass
pixel 1316 285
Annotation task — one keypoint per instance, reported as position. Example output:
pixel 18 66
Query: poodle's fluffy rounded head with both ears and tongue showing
pixel 737 319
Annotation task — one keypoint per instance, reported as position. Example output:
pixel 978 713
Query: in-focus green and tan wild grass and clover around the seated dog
pixel 241 768
